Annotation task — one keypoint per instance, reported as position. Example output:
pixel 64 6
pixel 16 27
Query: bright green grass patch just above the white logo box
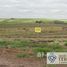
pixel 50 48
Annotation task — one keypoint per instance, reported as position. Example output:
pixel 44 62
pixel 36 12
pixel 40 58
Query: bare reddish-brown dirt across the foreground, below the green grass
pixel 8 59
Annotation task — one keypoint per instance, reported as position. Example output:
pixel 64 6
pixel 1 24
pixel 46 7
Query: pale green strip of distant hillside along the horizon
pixel 27 20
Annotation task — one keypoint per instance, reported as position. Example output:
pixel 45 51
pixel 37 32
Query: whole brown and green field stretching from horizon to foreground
pixel 20 44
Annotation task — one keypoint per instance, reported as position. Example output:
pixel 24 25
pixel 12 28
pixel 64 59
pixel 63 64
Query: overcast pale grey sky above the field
pixel 33 9
